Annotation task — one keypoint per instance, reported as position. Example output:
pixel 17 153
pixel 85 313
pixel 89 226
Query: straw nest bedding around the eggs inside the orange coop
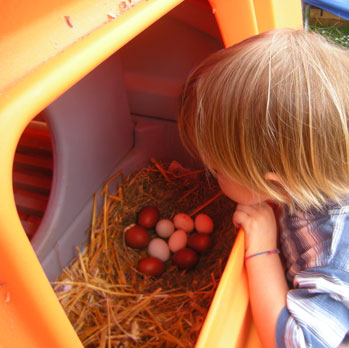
pixel 111 304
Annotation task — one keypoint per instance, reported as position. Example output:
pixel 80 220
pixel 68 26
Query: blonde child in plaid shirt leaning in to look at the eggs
pixel 269 117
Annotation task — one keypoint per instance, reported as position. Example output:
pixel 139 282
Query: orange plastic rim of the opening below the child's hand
pixel 228 322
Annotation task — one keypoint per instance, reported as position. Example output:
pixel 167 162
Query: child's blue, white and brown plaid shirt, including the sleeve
pixel 316 248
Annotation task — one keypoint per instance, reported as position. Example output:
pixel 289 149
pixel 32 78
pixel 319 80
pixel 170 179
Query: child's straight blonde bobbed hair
pixel 277 102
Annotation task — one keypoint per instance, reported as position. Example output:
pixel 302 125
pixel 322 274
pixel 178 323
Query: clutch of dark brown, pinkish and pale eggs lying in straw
pixel 184 244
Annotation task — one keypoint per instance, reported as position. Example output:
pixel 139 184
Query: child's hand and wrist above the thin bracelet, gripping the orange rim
pixel 259 224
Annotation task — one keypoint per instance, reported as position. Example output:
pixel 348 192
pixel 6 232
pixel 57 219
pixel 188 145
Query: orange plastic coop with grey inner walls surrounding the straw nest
pixel 105 75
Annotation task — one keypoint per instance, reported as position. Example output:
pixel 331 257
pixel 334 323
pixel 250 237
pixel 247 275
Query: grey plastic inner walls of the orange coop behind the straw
pixel 117 117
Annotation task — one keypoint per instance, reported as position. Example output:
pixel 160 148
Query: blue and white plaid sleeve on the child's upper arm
pixel 317 313
